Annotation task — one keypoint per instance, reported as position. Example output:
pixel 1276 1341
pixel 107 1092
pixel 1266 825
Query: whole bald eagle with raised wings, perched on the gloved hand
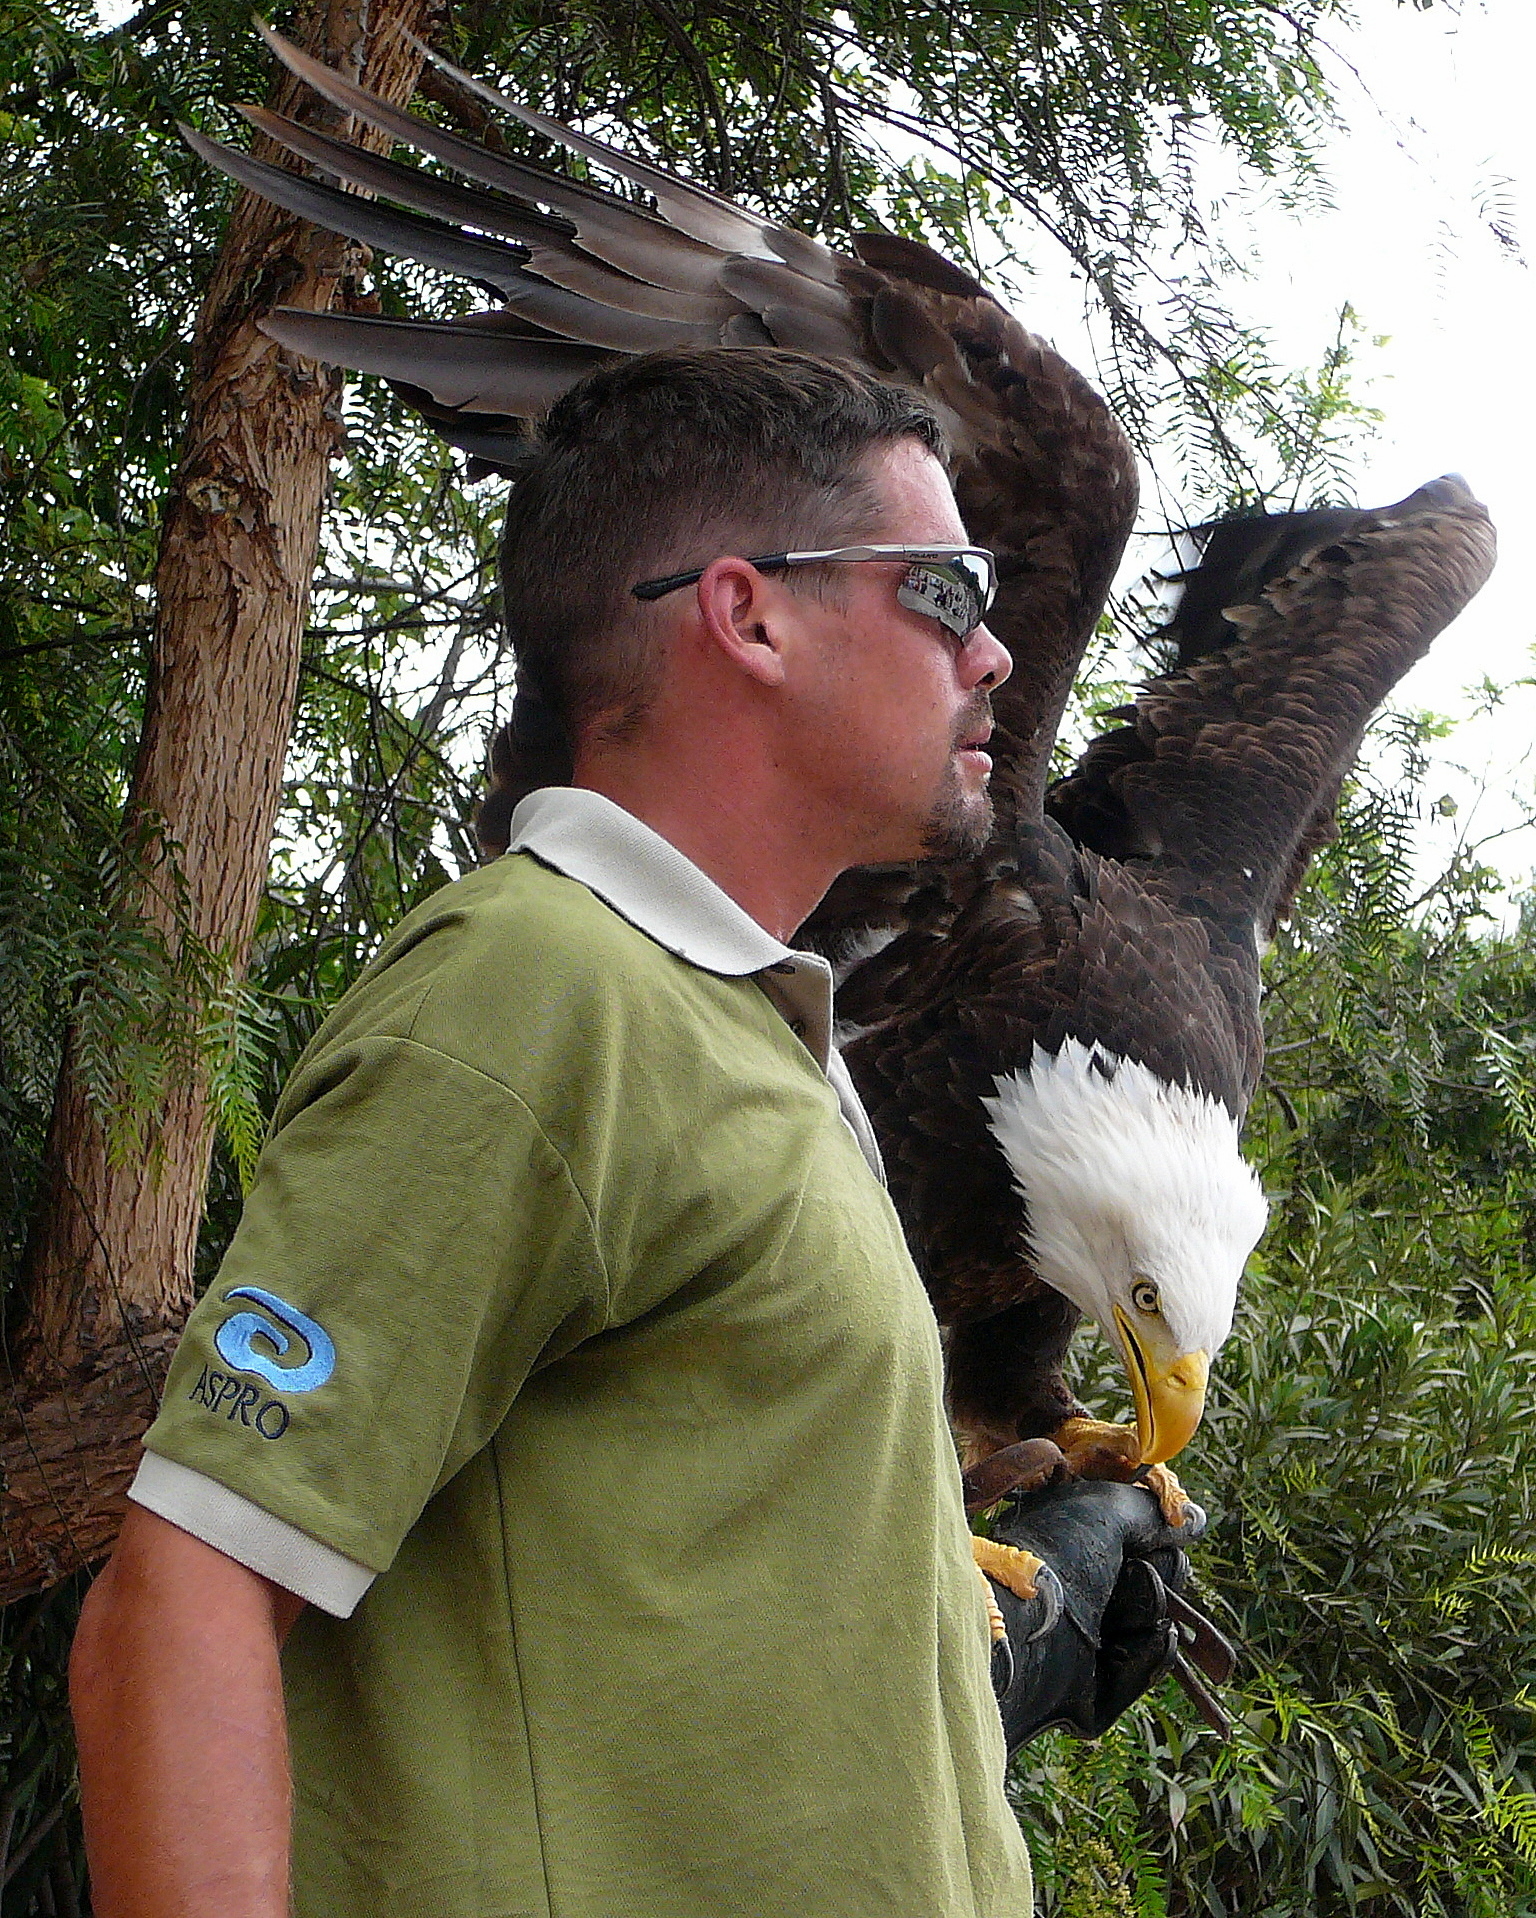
pixel 1059 1039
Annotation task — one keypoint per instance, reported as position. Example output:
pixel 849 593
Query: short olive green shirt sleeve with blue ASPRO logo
pixel 411 1251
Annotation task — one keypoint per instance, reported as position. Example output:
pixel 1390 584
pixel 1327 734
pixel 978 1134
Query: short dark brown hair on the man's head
pixel 659 465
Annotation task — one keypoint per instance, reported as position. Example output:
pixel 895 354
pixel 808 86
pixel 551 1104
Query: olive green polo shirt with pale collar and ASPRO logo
pixel 570 1345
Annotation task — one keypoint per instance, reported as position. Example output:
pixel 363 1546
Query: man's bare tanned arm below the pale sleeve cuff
pixel 181 1727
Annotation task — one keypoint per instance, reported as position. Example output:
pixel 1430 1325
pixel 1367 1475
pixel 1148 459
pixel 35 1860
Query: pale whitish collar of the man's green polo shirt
pixel 666 897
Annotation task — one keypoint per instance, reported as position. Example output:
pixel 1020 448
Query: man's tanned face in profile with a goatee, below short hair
pixel 895 707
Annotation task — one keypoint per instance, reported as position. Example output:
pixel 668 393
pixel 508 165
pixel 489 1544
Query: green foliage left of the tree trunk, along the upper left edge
pixel 101 250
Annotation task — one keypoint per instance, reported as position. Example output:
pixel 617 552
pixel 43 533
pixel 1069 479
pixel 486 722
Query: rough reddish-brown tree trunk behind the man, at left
pixel 110 1263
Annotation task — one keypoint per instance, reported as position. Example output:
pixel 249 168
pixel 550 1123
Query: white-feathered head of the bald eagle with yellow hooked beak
pixel 1142 1213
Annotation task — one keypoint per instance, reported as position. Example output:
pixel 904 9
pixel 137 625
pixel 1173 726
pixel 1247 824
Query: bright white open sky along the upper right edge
pixel 1441 137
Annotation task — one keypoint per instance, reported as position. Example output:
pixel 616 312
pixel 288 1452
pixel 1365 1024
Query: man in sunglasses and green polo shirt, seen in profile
pixel 569 1401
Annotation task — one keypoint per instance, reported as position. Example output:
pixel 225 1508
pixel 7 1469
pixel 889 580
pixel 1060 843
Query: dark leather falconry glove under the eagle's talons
pixel 1100 1631
